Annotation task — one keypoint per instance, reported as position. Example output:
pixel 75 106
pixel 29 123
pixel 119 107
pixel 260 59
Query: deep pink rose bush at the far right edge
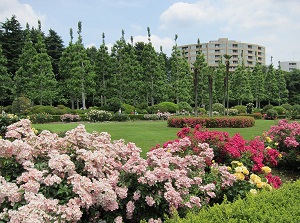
pixel 285 137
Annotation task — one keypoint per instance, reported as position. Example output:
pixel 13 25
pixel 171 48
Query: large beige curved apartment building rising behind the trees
pixel 214 51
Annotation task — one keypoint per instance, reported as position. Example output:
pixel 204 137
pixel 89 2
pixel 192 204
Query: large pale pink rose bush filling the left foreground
pixel 87 177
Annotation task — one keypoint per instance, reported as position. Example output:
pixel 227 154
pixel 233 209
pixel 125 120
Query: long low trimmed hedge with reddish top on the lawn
pixel 218 122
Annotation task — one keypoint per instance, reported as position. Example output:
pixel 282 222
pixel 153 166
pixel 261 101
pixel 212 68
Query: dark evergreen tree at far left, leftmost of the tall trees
pixel 12 41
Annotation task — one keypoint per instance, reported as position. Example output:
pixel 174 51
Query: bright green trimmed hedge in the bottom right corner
pixel 280 205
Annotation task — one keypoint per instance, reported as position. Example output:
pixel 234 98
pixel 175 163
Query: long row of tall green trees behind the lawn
pixel 41 68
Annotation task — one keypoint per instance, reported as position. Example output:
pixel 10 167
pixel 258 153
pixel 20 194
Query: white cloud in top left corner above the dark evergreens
pixel 23 12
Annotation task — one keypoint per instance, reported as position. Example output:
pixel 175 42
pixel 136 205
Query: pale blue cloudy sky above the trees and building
pixel 274 24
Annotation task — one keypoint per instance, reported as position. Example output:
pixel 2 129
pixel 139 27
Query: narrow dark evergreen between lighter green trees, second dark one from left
pixel 55 47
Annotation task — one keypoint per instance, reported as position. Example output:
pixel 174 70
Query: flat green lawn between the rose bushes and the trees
pixel 147 134
